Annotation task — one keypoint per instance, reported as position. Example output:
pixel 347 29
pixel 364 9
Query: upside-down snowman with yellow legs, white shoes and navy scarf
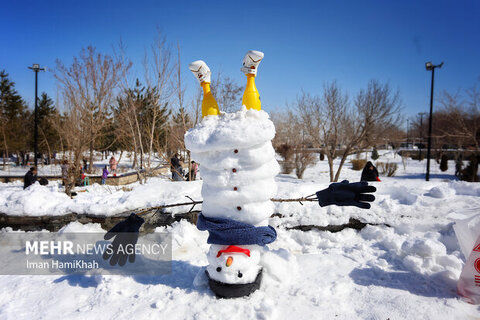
pixel 238 171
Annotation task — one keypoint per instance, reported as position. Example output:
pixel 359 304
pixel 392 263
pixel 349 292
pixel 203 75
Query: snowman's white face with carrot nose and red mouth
pixel 233 264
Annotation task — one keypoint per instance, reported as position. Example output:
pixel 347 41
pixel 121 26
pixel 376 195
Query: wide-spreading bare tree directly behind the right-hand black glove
pixel 338 128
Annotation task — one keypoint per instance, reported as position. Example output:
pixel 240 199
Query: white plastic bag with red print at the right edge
pixel 468 235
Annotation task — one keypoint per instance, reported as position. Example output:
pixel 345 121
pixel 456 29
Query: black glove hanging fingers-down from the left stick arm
pixel 126 236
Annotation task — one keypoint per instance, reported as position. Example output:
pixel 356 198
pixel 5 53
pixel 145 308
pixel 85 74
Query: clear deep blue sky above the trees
pixel 306 43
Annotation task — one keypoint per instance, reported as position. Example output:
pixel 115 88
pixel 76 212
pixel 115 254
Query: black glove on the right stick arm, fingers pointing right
pixel 347 194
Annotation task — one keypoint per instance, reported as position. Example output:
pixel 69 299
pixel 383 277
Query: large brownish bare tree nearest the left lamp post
pixel 88 89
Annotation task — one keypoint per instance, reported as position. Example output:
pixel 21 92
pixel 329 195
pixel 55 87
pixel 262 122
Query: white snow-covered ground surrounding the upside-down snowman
pixel 405 267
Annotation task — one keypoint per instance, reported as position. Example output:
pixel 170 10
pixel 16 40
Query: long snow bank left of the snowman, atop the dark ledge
pixel 96 199
